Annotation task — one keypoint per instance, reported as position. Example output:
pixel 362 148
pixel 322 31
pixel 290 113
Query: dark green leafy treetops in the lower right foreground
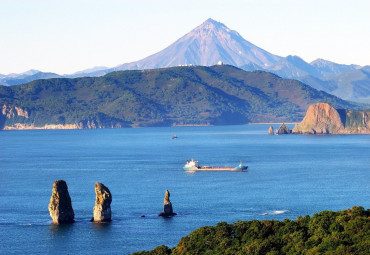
pixel 345 232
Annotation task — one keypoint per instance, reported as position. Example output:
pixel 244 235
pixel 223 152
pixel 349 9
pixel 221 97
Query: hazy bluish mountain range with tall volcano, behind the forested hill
pixel 212 42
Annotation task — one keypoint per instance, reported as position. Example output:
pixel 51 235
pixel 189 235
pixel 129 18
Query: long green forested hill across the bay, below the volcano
pixel 162 97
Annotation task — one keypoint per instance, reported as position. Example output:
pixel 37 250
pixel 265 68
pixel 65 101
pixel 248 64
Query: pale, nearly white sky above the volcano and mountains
pixel 71 35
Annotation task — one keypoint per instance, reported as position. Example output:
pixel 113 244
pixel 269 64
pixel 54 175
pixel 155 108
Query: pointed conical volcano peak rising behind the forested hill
pixel 207 44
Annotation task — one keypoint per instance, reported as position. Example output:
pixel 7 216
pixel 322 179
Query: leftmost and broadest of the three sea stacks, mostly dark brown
pixel 60 206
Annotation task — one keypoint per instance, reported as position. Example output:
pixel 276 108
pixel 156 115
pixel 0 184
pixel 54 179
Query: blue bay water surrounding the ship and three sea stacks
pixel 288 176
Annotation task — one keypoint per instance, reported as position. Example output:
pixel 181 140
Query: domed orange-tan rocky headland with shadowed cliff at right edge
pixel 322 118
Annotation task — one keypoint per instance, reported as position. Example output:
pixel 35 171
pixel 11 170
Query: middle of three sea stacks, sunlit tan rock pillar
pixel 102 210
